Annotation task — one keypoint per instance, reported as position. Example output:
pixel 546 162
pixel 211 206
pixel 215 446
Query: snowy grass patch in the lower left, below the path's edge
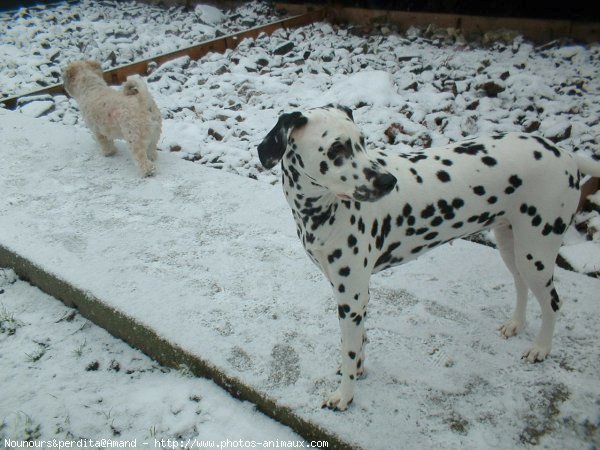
pixel 64 377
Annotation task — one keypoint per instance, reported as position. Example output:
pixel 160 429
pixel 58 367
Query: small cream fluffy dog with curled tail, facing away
pixel 130 114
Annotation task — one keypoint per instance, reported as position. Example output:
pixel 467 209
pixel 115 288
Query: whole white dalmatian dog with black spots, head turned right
pixel 358 212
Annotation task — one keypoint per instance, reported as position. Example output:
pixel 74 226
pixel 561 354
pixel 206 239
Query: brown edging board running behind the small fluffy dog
pixel 218 45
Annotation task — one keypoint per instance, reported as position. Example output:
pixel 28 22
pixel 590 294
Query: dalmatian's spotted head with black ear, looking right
pixel 325 147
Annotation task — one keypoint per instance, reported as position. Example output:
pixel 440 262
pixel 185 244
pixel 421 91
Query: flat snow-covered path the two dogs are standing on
pixel 210 262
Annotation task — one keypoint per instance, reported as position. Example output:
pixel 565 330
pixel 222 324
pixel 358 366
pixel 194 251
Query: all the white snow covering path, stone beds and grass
pixel 210 260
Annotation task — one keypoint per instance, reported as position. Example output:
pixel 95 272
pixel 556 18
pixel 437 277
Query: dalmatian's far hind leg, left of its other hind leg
pixel 506 246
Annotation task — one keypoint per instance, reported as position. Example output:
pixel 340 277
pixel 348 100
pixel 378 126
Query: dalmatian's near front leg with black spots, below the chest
pixel 352 311
